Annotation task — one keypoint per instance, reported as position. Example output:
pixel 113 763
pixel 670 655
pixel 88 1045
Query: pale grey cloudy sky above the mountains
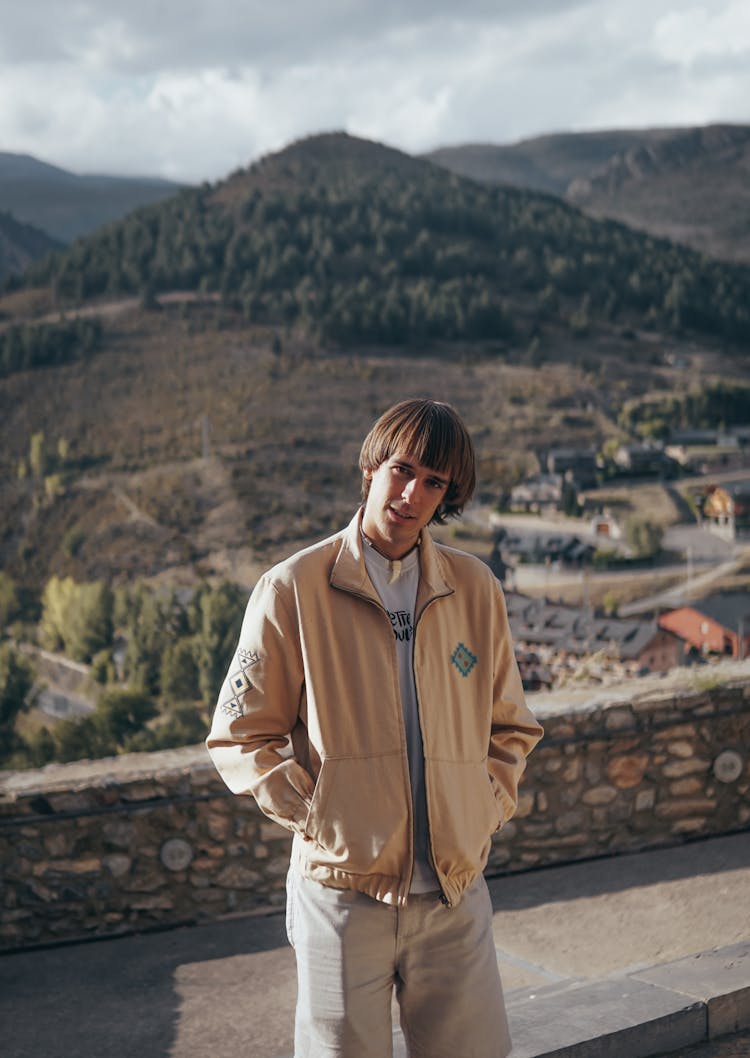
pixel 193 89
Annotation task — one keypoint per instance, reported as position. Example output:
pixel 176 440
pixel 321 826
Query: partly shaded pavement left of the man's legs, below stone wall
pixel 184 992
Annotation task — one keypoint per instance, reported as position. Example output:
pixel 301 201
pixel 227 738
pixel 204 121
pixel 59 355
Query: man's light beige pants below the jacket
pixel 353 952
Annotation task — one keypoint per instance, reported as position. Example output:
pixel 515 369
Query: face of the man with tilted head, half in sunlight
pixel 404 498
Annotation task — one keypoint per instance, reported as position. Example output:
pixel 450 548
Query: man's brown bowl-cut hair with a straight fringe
pixel 434 434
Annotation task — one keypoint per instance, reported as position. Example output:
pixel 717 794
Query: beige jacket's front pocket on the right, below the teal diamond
pixel 464 814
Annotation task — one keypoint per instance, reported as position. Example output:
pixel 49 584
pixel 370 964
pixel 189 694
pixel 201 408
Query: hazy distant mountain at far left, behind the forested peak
pixel 65 205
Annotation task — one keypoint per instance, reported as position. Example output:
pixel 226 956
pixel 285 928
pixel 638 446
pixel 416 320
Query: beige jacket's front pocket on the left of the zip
pixel 359 818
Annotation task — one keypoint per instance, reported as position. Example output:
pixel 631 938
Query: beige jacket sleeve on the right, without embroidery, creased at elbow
pixel 515 729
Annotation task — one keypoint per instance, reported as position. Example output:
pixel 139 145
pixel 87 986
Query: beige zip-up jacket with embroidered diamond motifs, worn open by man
pixel 317 662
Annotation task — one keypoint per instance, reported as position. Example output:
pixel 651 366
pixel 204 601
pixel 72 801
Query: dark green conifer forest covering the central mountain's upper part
pixel 358 243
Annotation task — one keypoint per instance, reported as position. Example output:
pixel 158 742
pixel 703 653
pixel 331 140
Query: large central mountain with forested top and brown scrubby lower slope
pixel 213 361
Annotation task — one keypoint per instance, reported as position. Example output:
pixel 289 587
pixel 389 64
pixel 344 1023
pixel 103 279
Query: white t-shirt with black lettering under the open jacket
pixel 396 582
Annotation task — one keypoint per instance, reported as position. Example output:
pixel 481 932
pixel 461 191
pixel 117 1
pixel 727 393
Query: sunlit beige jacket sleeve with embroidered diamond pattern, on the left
pixel 258 709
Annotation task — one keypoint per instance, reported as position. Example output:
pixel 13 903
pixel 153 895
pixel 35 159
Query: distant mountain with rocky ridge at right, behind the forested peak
pixel 689 186
